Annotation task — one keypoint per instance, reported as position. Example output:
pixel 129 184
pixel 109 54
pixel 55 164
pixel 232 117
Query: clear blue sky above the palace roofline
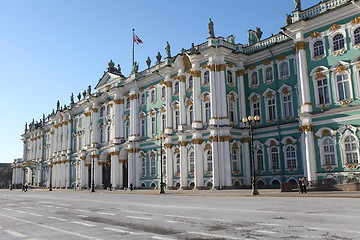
pixel 49 49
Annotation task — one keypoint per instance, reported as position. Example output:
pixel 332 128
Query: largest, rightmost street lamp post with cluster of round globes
pixel 250 121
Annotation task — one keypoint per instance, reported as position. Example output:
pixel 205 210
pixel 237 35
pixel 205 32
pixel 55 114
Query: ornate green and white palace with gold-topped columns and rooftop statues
pixel 182 117
